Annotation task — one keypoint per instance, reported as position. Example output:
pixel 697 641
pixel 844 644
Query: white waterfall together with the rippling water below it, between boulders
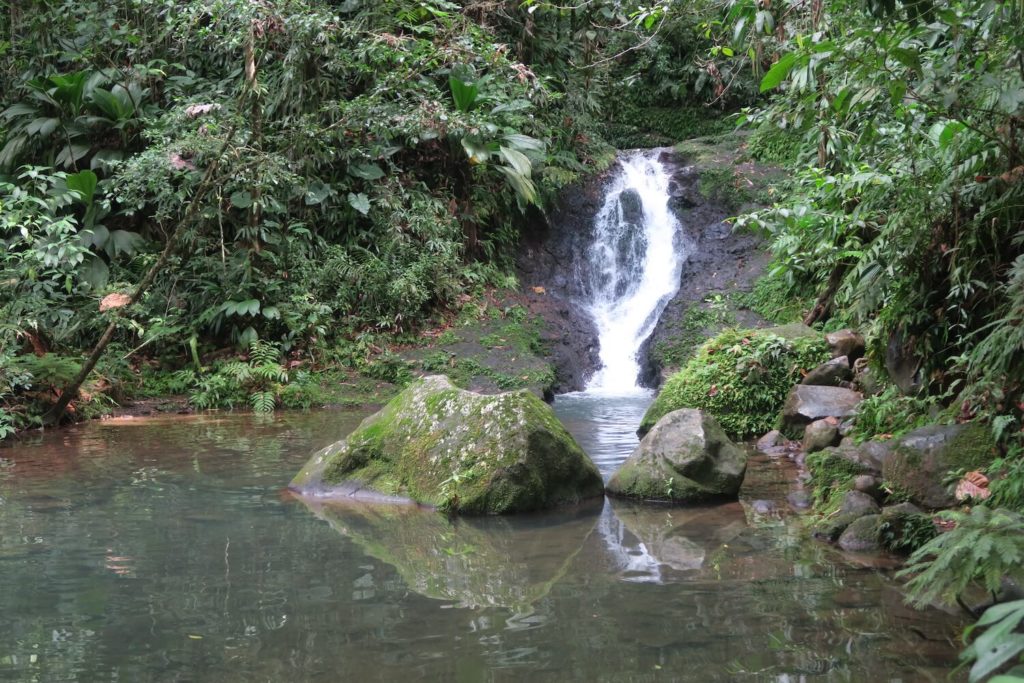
pixel 635 263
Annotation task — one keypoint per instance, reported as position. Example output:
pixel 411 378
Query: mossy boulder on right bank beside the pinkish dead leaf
pixel 922 461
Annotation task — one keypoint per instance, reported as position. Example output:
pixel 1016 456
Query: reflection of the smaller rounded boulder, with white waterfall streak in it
pixel 649 543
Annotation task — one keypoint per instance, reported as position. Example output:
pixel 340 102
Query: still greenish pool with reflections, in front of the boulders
pixel 167 550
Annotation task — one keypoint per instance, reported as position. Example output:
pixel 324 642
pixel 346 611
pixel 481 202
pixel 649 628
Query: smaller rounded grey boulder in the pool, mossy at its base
pixel 687 458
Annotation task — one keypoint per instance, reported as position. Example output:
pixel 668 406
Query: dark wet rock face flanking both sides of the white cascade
pixel 553 258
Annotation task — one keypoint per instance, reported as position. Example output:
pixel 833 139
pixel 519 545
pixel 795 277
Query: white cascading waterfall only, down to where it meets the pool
pixel 635 264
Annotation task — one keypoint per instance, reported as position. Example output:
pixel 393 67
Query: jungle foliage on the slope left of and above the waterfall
pixel 374 163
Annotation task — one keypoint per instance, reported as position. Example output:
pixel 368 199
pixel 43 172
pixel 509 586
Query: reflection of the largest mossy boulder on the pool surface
pixel 510 563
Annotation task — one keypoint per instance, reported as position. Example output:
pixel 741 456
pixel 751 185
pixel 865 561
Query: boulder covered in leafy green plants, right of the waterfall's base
pixel 742 378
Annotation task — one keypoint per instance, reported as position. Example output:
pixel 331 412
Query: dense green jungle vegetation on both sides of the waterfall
pixel 231 194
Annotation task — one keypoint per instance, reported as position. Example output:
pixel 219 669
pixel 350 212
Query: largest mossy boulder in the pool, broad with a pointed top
pixel 440 446
